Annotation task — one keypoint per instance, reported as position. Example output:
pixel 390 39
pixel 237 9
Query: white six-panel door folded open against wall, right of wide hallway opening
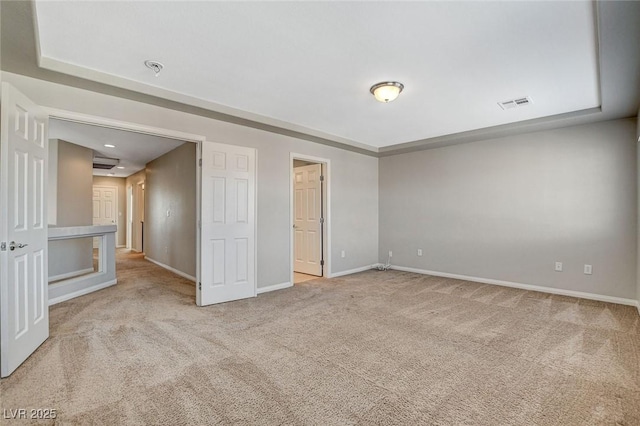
pixel 228 216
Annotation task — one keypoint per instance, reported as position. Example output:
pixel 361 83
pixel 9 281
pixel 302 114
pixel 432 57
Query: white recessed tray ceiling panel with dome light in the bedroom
pixel 308 66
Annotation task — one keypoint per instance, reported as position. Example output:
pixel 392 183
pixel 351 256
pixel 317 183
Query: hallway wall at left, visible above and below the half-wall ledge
pixel 74 208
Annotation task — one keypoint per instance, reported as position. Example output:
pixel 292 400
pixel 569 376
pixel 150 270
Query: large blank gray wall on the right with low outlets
pixel 508 208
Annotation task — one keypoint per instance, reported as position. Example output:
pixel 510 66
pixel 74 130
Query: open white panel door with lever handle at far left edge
pixel 24 309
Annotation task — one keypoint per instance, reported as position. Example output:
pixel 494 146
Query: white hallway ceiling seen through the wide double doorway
pixel 134 150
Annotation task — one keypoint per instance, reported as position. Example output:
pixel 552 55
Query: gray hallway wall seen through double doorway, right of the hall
pixel 171 186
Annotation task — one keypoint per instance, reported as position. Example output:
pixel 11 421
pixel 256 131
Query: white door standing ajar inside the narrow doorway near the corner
pixel 307 238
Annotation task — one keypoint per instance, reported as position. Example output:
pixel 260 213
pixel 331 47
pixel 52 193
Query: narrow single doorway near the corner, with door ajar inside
pixel 309 218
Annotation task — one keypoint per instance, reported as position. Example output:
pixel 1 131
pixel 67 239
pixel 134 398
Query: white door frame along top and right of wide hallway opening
pixel 75 117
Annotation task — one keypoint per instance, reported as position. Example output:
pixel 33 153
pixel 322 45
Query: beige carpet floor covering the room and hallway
pixel 372 348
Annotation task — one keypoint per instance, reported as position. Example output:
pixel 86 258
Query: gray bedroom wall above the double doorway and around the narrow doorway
pixel 353 177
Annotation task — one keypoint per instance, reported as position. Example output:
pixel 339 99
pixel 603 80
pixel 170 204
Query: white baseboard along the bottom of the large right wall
pixel 530 287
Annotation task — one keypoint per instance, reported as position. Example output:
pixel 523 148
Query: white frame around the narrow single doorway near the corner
pixel 326 197
